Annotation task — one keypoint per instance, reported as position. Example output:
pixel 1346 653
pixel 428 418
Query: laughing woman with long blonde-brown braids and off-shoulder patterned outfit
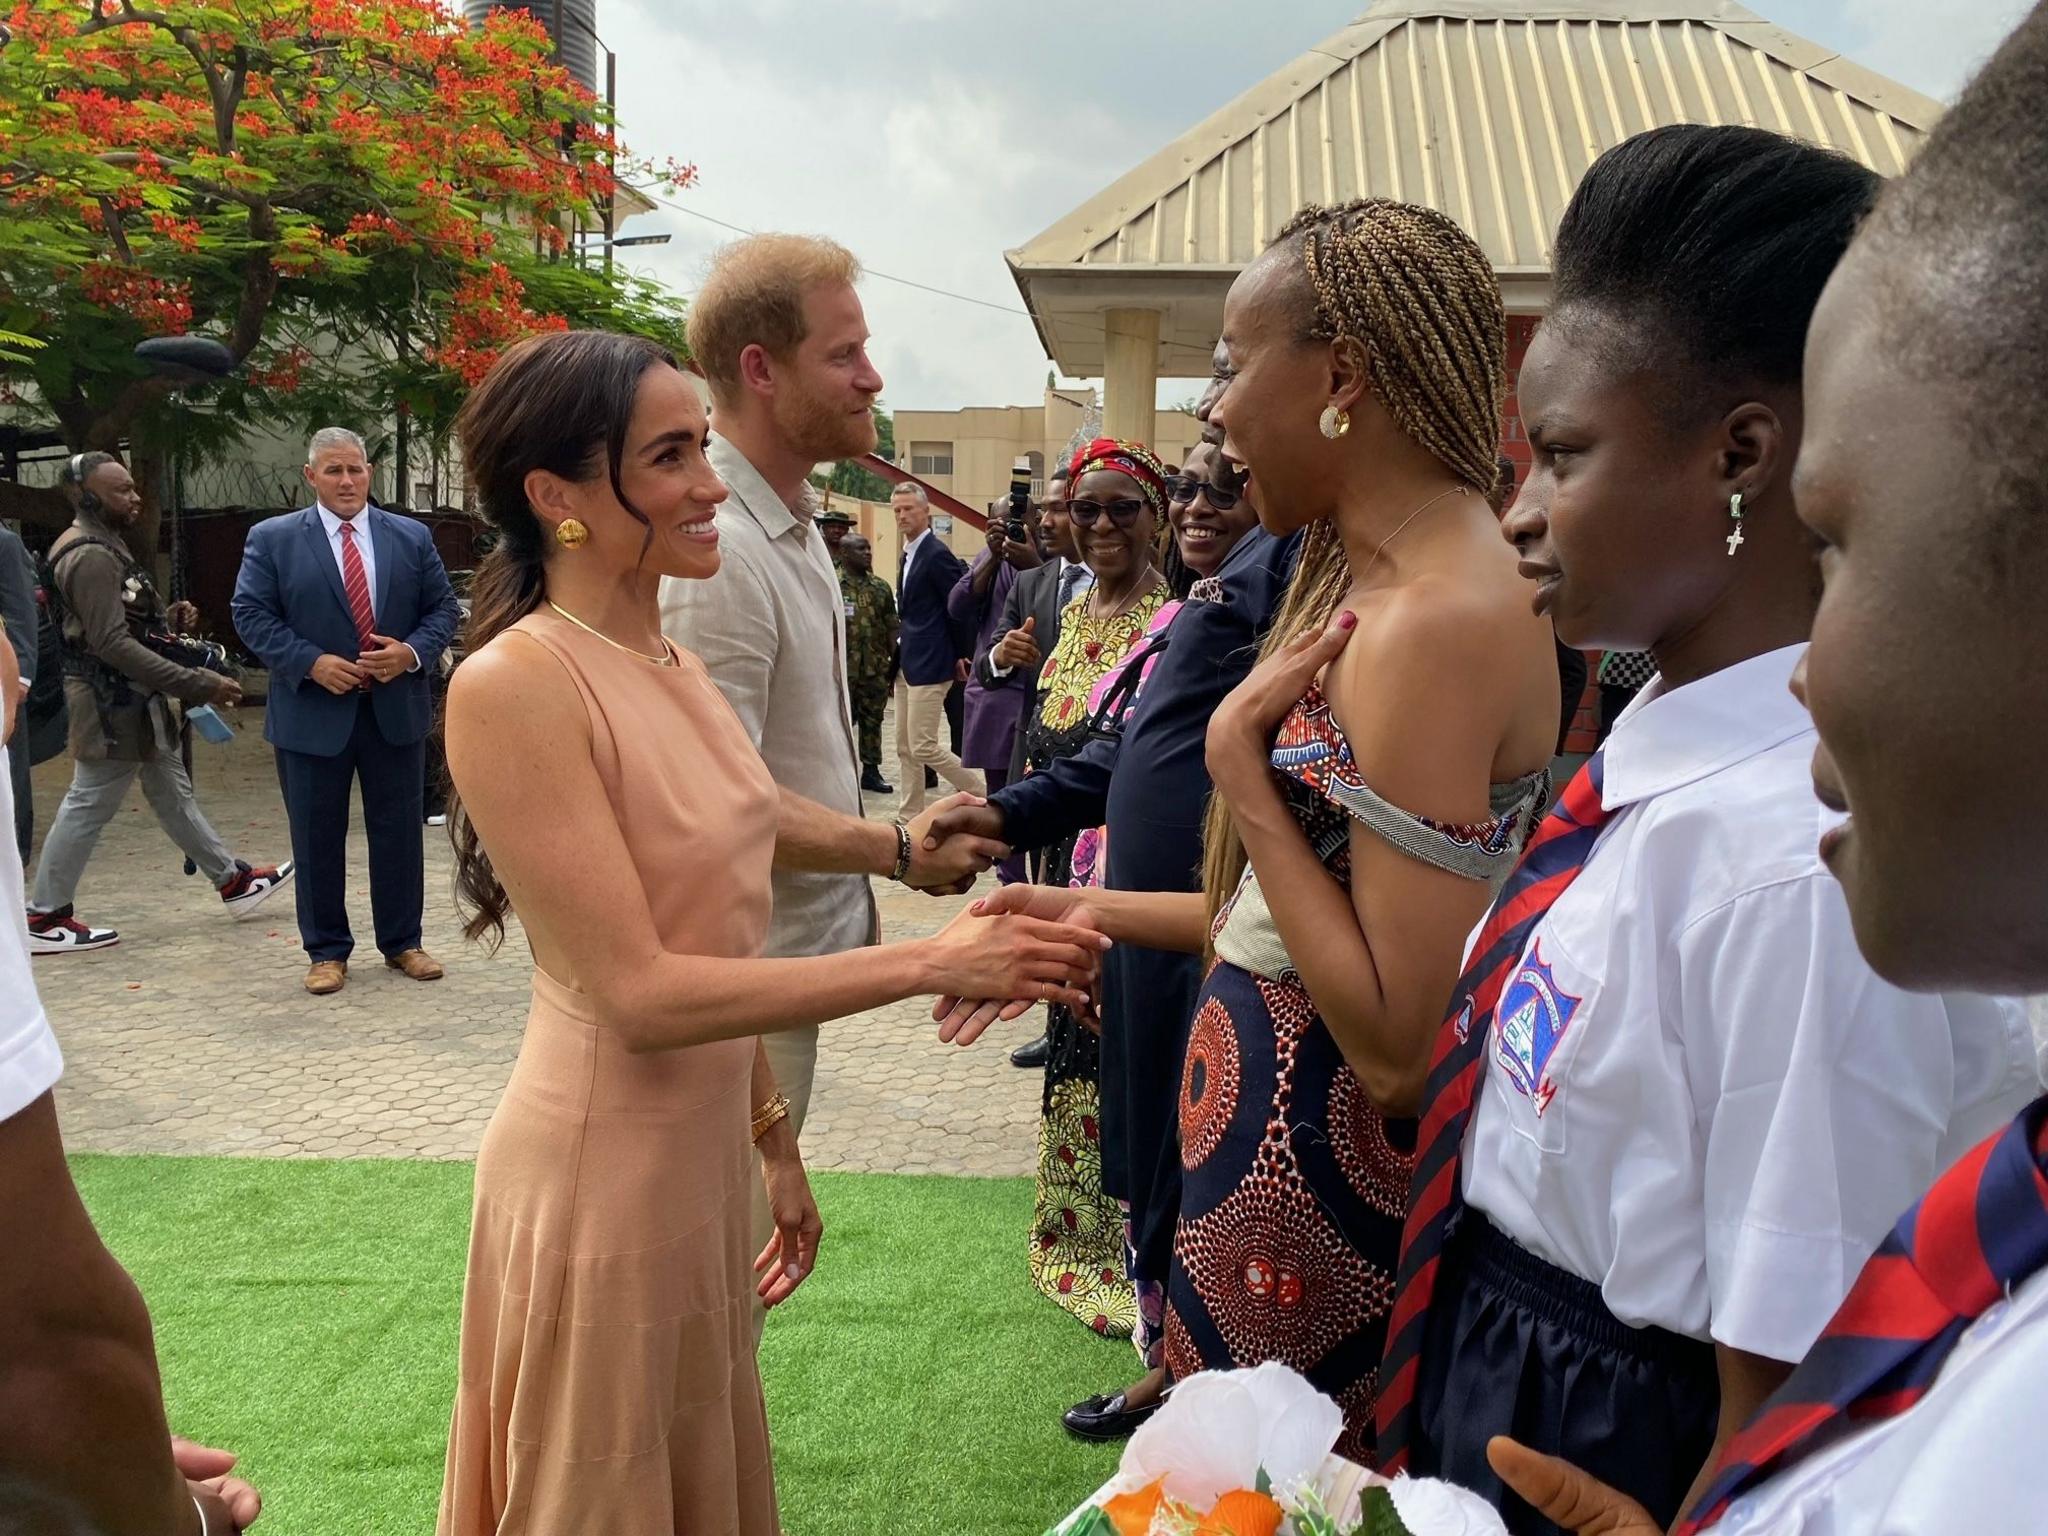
pixel 1351 857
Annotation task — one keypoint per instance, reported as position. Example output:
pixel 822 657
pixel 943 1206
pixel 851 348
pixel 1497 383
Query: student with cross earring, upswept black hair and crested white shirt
pixel 1697 1109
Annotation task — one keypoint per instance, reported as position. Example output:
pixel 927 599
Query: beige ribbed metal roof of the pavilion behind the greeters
pixel 1490 112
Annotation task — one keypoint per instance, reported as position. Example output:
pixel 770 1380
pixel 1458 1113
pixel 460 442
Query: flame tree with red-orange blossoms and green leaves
pixel 364 200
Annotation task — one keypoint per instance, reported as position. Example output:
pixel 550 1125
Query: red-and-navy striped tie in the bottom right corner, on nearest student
pixel 1975 1236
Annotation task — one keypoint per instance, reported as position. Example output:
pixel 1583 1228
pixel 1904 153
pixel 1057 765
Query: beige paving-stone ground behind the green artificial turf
pixel 196 1033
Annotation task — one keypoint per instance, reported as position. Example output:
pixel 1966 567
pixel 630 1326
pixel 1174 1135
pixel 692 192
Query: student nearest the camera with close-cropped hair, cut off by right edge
pixel 1926 476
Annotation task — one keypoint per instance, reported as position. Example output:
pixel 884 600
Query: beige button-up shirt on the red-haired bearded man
pixel 771 630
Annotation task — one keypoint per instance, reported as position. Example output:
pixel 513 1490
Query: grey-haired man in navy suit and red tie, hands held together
pixel 351 611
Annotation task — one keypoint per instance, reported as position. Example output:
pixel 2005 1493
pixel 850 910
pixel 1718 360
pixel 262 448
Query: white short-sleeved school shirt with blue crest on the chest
pixel 1736 1109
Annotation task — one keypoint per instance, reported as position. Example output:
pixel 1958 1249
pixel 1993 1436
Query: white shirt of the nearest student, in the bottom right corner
pixel 1965 1461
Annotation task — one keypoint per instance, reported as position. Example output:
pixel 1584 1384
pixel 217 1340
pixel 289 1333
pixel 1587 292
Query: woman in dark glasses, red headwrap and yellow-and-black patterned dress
pixel 1117 507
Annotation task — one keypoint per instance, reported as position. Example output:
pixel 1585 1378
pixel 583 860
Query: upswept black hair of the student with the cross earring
pixel 1703 253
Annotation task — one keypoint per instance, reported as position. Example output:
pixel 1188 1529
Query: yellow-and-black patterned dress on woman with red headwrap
pixel 1078 1234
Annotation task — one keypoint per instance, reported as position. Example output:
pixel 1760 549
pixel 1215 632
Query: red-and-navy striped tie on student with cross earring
pixel 1549 865
